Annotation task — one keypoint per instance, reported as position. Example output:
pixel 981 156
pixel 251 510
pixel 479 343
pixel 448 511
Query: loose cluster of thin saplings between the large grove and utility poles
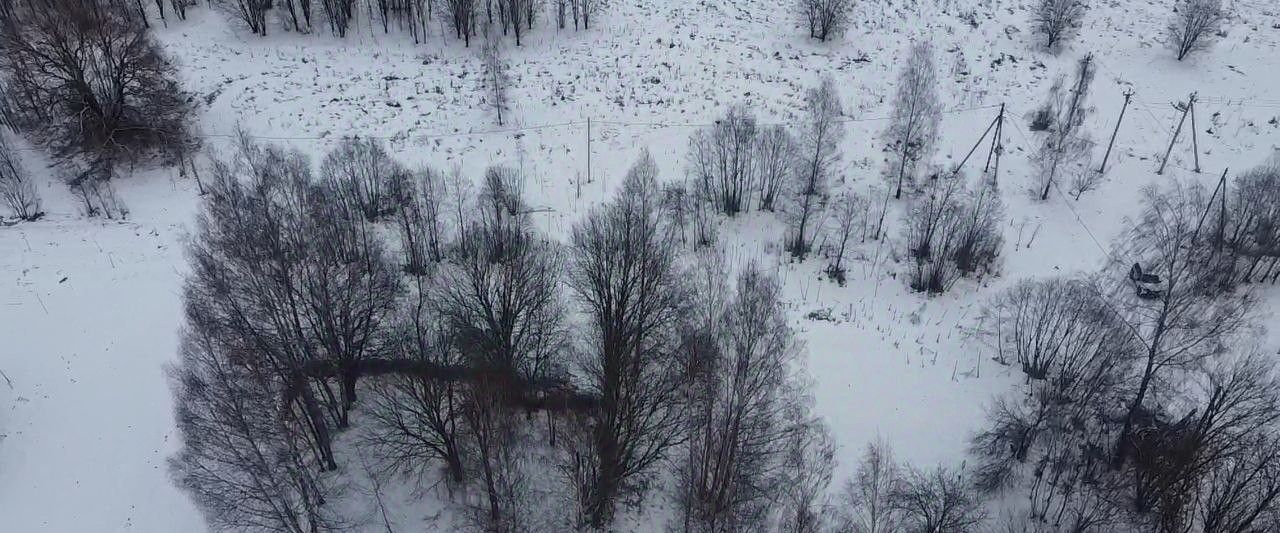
pixel 953 229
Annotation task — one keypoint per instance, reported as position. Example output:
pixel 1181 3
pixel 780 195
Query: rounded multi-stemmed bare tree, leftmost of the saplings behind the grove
pixel 725 162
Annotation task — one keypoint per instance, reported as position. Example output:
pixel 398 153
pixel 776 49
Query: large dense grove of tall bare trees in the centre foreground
pixel 467 363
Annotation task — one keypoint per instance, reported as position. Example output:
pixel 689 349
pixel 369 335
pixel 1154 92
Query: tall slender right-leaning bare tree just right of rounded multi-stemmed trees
pixel 820 153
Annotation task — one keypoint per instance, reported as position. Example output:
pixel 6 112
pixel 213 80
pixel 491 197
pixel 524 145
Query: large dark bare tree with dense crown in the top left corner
pixel 88 81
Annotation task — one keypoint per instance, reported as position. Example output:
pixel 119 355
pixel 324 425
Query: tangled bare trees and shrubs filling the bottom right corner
pixel 1145 406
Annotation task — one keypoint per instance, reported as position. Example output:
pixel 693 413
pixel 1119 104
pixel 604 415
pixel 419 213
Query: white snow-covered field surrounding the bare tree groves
pixel 90 309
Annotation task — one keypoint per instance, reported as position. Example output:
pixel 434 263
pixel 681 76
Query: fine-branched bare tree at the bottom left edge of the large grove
pixel 244 459
